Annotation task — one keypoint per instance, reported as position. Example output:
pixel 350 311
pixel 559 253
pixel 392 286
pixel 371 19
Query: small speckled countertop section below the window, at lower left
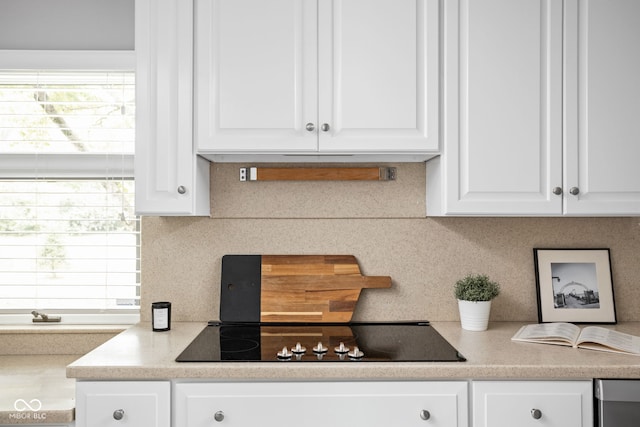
pixel 34 389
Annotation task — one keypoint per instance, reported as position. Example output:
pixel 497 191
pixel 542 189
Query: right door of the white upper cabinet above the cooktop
pixel 378 87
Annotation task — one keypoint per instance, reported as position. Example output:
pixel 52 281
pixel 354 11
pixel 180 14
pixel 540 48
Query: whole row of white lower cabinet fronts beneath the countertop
pixel 336 404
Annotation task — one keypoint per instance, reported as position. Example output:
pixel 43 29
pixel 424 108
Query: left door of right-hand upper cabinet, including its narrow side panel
pixel 502 151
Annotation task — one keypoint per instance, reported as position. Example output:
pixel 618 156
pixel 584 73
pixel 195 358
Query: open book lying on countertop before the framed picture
pixel 591 337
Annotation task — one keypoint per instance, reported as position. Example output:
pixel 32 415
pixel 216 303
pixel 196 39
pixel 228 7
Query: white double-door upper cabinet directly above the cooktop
pixel 316 77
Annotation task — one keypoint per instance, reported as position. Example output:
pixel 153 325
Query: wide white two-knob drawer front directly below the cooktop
pixel 315 404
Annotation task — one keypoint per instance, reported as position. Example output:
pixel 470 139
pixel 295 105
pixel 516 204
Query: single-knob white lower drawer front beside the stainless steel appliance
pixel 532 403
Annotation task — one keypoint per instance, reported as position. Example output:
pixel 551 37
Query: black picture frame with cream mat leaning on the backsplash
pixel 574 285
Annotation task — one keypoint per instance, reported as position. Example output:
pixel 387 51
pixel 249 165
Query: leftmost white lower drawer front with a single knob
pixel 123 403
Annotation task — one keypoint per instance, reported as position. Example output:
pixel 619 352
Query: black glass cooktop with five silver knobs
pixel 356 342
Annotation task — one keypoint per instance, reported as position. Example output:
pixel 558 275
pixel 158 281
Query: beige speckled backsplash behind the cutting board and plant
pixel 383 225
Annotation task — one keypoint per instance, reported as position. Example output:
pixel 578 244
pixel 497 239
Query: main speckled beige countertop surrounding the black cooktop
pixel 140 354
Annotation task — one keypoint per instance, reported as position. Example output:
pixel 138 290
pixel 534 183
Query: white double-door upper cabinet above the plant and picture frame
pixel 532 116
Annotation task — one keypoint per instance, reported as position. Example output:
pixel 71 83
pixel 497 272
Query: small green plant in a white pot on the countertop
pixel 474 293
